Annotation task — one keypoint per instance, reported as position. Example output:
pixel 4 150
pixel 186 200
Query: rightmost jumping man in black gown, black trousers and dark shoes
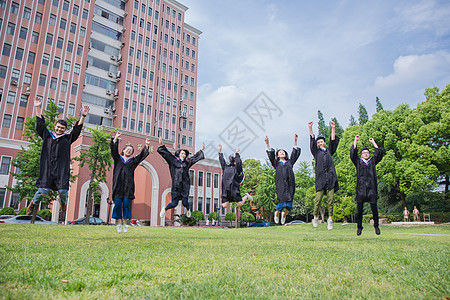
pixel 366 181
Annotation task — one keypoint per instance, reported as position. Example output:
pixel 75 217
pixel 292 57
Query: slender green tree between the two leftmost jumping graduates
pixel 99 161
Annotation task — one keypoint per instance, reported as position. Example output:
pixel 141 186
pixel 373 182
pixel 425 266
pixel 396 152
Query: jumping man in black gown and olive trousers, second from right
pixel 326 178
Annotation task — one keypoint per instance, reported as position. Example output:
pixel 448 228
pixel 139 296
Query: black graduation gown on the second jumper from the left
pixel 123 173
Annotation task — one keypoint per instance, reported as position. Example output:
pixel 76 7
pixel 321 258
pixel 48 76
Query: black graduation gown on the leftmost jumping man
pixel 54 166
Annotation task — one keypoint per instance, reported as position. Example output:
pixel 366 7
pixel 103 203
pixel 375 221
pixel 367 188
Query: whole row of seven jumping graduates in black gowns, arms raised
pixel 54 173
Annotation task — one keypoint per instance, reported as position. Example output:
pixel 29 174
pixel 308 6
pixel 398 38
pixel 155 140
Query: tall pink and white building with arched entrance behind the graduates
pixel 133 62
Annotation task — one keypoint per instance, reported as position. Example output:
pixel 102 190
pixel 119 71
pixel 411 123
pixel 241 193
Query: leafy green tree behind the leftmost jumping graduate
pixel 27 161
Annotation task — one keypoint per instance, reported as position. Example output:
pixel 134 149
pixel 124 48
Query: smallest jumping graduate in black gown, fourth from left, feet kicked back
pixel 232 178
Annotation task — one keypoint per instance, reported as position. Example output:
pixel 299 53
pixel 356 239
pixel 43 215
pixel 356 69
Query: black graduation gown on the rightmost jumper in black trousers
pixel 366 175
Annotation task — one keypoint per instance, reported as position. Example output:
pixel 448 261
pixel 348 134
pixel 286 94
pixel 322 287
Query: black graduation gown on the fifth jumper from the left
pixel 284 175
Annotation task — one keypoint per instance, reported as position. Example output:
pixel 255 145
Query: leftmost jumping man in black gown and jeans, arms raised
pixel 54 165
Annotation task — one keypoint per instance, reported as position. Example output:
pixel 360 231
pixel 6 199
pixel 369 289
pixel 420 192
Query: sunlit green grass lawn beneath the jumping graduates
pixel 281 262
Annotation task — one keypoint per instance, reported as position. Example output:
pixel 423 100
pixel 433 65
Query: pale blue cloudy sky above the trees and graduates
pixel 306 56
